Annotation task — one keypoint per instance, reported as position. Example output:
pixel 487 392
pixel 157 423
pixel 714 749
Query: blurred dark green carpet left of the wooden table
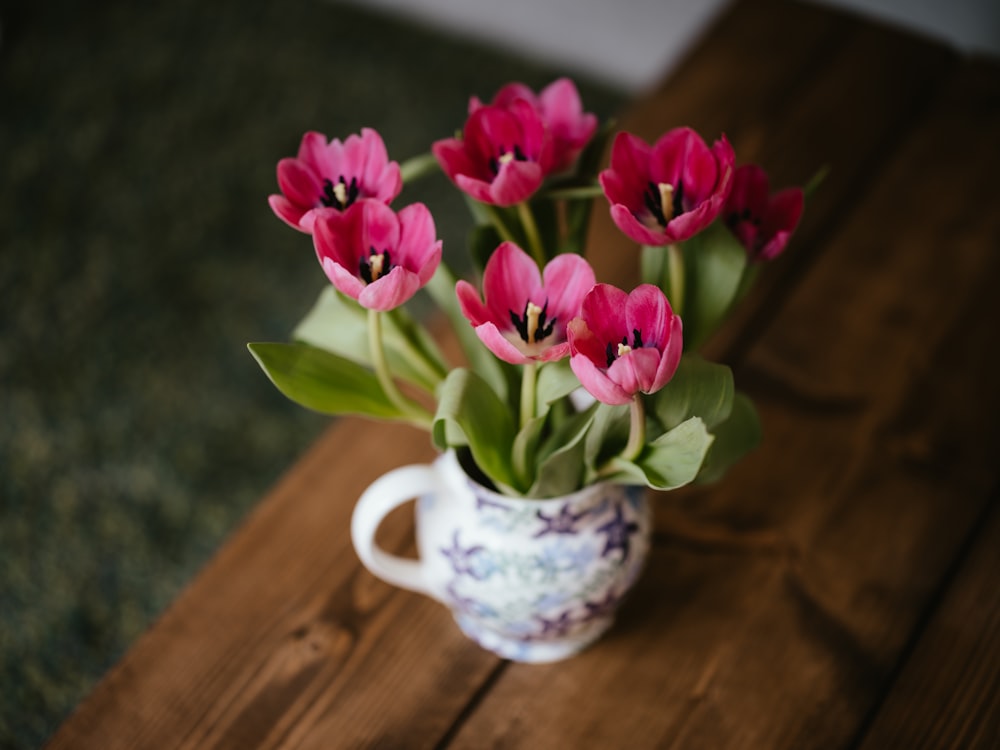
pixel 139 142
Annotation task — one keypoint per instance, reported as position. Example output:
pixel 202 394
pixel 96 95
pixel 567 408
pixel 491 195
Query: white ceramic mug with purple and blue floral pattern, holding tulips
pixel 531 580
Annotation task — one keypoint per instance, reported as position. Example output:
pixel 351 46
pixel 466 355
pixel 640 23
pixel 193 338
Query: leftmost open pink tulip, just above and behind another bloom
pixel 332 176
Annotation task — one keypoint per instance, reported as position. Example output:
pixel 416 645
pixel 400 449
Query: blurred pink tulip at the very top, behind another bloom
pixel 561 111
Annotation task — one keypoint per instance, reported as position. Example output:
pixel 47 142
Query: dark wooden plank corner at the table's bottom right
pixel 948 693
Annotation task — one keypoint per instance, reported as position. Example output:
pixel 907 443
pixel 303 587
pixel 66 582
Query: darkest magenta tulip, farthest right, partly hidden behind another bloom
pixel 762 222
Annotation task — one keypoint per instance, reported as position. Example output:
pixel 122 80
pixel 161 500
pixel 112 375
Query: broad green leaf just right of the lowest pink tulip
pixel 699 388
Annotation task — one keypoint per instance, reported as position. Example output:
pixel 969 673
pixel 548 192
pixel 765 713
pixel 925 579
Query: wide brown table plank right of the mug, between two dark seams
pixel 877 391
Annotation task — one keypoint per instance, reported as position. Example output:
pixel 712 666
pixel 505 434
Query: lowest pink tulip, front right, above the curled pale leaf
pixel 624 343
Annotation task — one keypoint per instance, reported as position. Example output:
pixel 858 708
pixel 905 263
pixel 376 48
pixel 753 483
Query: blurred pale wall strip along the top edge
pixel 630 43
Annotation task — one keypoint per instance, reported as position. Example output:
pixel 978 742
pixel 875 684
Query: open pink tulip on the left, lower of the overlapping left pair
pixel 376 256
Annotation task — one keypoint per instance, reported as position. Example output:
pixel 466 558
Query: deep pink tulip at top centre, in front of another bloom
pixel 503 155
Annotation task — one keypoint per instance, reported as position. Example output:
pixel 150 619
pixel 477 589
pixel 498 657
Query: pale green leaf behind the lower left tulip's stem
pixel 339 325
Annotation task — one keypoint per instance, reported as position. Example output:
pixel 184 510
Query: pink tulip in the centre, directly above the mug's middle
pixel 524 316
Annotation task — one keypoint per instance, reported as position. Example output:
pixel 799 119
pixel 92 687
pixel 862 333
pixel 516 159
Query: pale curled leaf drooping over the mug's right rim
pixel 670 461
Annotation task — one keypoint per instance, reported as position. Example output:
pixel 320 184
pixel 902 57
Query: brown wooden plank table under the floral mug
pixel 837 589
